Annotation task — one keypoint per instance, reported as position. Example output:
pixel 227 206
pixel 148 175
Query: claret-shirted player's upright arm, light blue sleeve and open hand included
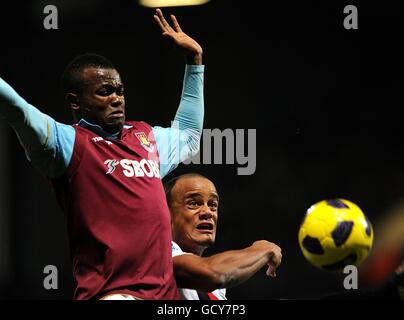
pixel 181 141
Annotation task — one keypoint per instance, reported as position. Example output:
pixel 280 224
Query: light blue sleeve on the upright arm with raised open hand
pixel 181 141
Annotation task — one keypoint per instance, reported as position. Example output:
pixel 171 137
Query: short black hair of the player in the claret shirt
pixel 71 80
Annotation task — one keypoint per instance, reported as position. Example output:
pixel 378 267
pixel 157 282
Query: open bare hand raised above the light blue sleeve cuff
pixel 191 49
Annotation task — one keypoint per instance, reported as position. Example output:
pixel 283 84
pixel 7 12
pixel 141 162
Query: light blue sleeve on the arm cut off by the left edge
pixel 47 143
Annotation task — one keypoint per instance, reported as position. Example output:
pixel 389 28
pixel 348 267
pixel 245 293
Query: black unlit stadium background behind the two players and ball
pixel 325 102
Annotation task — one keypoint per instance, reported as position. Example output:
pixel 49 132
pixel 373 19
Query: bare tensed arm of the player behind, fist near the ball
pixel 226 269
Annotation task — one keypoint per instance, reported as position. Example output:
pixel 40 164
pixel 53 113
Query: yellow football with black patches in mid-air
pixel 335 233
